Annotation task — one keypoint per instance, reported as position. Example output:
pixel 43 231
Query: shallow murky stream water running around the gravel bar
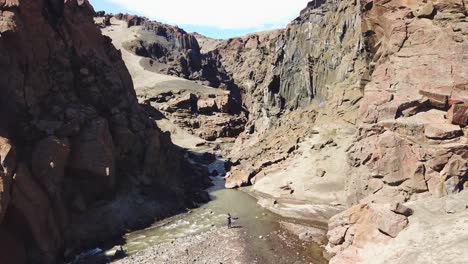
pixel 261 227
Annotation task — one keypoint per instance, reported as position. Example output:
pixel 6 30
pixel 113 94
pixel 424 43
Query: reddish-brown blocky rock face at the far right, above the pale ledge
pixel 420 63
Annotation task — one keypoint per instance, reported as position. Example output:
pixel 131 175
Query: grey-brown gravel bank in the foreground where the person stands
pixel 223 245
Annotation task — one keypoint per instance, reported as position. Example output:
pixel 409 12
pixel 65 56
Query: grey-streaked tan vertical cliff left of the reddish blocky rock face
pixel 319 61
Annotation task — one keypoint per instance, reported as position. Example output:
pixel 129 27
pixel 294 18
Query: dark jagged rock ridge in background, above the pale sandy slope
pixel 172 51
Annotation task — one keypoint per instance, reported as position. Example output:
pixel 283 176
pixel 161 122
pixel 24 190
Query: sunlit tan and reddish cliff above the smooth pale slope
pixel 377 57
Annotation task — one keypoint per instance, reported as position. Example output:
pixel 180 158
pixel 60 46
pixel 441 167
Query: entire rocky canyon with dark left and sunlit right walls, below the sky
pixel 354 116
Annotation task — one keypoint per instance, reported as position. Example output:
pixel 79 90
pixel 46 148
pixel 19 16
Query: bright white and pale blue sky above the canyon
pixel 213 18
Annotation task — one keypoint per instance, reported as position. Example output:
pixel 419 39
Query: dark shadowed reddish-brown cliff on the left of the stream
pixel 72 133
